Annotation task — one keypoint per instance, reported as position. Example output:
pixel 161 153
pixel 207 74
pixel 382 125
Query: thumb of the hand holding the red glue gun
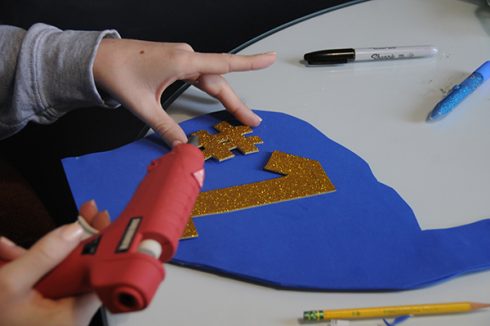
pixel 24 272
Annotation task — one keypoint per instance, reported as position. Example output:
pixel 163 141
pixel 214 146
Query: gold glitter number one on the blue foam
pixel 303 177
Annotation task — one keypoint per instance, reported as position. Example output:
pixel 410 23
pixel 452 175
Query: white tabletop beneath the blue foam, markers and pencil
pixel 378 111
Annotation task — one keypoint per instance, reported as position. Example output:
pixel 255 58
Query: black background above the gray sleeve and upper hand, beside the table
pixel 210 26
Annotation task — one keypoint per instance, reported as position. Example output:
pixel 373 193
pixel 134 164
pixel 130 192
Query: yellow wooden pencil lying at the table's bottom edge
pixel 394 311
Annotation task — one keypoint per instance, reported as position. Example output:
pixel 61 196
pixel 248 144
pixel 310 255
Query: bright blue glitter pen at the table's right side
pixel 459 92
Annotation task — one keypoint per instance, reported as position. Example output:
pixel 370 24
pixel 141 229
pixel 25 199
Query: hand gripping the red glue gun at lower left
pixel 20 304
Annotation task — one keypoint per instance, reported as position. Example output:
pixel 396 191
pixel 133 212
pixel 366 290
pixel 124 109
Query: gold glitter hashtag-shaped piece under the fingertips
pixel 220 145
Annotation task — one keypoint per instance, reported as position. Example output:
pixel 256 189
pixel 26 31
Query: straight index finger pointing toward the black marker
pixel 222 63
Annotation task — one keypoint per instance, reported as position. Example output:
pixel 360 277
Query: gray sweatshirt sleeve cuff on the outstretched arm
pixel 45 73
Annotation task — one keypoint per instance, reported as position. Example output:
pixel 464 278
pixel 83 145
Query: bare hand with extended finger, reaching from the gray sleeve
pixel 137 72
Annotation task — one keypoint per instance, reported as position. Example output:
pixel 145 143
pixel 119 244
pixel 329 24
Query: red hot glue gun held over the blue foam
pixel 123 263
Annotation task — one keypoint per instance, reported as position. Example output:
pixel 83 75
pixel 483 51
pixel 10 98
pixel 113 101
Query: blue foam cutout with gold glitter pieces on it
pixel 363 236
